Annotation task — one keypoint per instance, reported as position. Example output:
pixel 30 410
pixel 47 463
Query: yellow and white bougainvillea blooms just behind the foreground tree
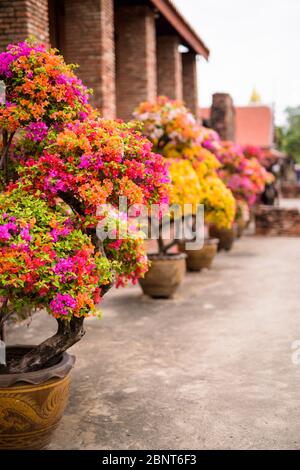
pixel 177 136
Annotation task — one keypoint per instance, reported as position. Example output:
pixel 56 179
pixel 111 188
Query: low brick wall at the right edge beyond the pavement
pixel 276 221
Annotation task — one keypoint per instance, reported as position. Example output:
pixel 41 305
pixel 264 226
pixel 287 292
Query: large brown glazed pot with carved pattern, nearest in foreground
pixel 32 404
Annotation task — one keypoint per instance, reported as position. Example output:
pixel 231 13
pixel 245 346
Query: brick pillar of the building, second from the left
pixel 89 42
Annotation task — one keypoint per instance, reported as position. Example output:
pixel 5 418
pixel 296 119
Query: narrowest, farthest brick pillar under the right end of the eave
pixel 189 81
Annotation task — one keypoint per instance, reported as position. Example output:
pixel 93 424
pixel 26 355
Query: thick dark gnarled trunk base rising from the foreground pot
pixel 44 355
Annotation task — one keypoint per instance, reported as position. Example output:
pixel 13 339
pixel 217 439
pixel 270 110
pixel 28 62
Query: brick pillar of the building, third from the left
pixel 135 58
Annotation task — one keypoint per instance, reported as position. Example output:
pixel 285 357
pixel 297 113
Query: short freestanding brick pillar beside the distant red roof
pixel 223 116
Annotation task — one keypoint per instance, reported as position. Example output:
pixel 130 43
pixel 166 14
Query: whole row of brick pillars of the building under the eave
pixel 124 70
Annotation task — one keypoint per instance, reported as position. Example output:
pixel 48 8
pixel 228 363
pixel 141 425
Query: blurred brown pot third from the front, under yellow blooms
pixel 200 258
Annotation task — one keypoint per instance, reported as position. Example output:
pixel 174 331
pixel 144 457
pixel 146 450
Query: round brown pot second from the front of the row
pixel 164 276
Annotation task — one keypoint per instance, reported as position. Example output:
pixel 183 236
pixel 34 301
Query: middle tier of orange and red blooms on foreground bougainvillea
pixel 97 161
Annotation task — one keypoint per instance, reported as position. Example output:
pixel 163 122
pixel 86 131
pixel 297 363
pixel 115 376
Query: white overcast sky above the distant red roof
pixel 252 43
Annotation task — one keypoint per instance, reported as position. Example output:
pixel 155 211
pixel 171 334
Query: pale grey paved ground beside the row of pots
pixel 210 369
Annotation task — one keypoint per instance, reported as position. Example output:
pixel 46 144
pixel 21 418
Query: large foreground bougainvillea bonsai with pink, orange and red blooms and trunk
pixel 59 163
